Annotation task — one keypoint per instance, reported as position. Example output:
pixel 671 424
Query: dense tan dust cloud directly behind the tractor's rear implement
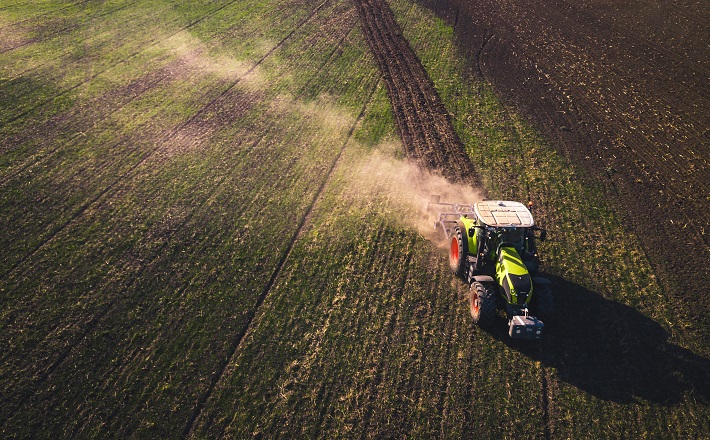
pixel 403 186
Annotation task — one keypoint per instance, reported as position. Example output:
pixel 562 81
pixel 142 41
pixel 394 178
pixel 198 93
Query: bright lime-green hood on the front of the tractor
pixel 512 275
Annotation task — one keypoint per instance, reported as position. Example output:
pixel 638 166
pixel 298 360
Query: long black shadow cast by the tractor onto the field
pixel 612 351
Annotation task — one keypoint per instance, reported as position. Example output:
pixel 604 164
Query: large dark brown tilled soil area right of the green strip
pixel 622 90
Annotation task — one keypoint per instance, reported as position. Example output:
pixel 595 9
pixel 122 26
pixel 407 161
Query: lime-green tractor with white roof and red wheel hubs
pixel 492 247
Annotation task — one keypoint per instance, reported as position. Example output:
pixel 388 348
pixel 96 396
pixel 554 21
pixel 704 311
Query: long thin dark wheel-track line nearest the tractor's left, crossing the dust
pixel 277 271
